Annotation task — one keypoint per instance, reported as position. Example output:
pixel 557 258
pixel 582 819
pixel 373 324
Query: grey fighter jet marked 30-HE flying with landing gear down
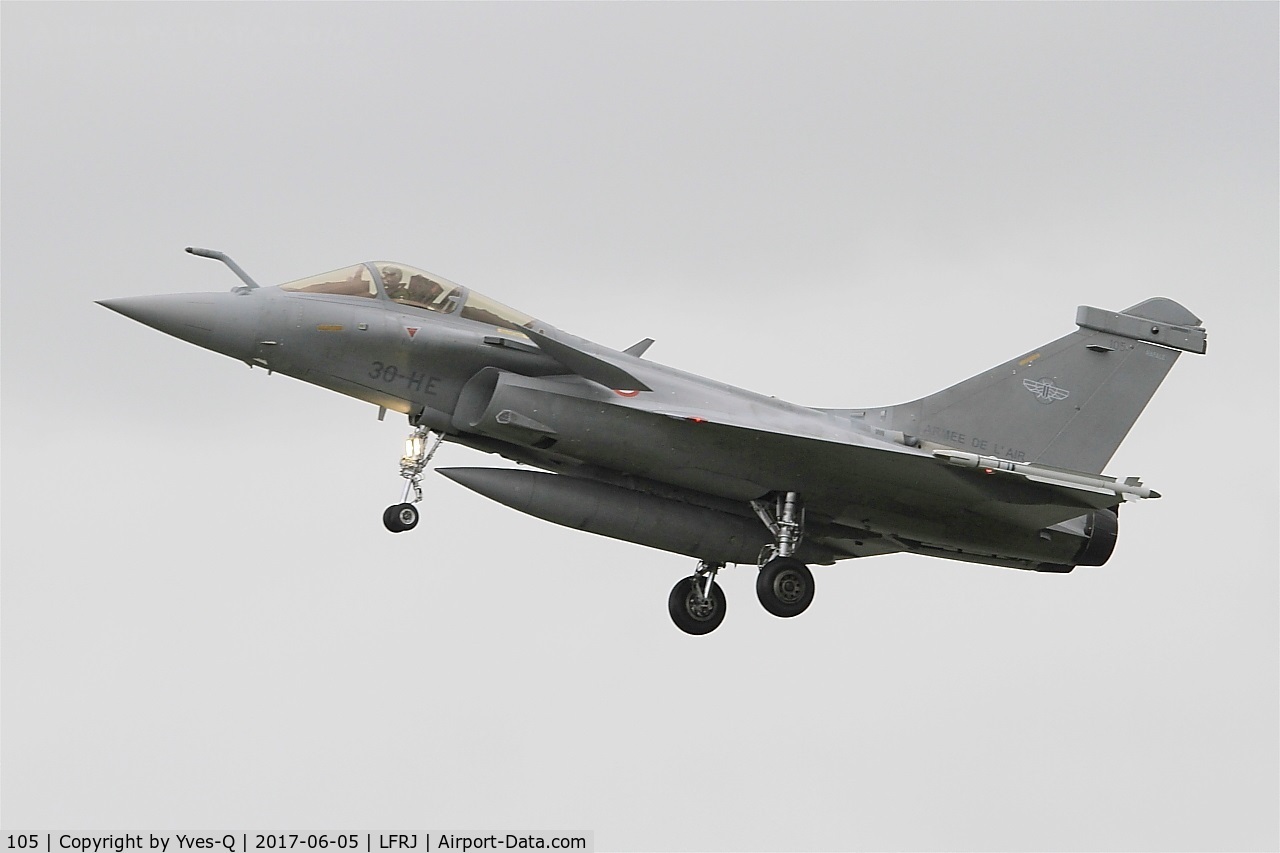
pixel 1003 469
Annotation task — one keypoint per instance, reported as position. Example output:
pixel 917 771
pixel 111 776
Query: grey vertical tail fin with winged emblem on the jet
pixel 1068 404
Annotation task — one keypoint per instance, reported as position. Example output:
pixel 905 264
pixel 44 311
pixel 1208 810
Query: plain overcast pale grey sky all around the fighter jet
pixel 204 623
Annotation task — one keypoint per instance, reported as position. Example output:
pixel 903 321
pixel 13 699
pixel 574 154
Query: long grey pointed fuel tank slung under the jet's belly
pixel 621 514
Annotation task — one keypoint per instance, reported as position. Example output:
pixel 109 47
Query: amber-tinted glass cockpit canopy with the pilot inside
pixel 414 289
